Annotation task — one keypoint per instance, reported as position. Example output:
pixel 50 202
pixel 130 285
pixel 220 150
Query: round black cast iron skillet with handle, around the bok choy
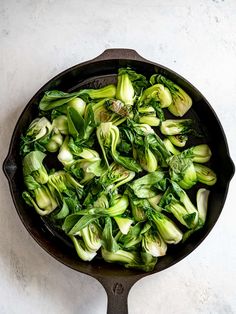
pixel 96 73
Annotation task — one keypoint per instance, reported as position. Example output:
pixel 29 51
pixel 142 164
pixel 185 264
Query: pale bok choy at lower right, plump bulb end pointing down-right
pixel 169 232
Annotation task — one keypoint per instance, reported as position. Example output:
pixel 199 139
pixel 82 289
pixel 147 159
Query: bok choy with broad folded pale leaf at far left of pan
pixel 33 166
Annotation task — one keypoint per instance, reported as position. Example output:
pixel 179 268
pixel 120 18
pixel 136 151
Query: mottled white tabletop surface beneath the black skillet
pixel 39 39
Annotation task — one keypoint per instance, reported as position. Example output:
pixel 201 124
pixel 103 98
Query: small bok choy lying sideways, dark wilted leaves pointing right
pixel 174 127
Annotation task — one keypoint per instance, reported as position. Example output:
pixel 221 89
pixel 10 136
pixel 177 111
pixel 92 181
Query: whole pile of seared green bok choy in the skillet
pixel 122 171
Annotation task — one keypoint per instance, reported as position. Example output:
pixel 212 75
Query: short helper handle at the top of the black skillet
pixel 119 53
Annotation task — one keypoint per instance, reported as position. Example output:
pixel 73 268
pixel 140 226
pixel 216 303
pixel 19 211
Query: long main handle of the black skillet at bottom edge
pixel 117 293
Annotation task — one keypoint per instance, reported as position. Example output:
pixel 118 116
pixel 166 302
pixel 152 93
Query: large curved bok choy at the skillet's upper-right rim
pixel 181 101
